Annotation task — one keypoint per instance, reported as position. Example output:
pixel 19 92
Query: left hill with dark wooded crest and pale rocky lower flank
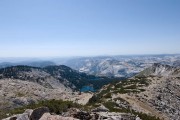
pixel 22 85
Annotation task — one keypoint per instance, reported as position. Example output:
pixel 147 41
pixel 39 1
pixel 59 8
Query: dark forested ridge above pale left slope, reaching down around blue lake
pixel 67 76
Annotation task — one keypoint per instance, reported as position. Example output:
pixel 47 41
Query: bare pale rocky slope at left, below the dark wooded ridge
pixel 15 93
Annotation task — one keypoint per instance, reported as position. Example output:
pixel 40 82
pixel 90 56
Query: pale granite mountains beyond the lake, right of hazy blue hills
pixel 120 66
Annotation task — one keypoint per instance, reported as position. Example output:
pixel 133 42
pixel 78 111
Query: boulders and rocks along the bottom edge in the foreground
pixel 101 113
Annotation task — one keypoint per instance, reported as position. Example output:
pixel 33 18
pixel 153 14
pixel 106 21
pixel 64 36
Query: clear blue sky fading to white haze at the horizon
pixel 43 28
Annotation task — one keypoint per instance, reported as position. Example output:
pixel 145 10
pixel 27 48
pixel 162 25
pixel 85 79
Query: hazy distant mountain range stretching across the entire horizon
pixel 109 66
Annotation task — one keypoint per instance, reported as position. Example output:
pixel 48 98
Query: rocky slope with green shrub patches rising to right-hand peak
pixel 154 91
